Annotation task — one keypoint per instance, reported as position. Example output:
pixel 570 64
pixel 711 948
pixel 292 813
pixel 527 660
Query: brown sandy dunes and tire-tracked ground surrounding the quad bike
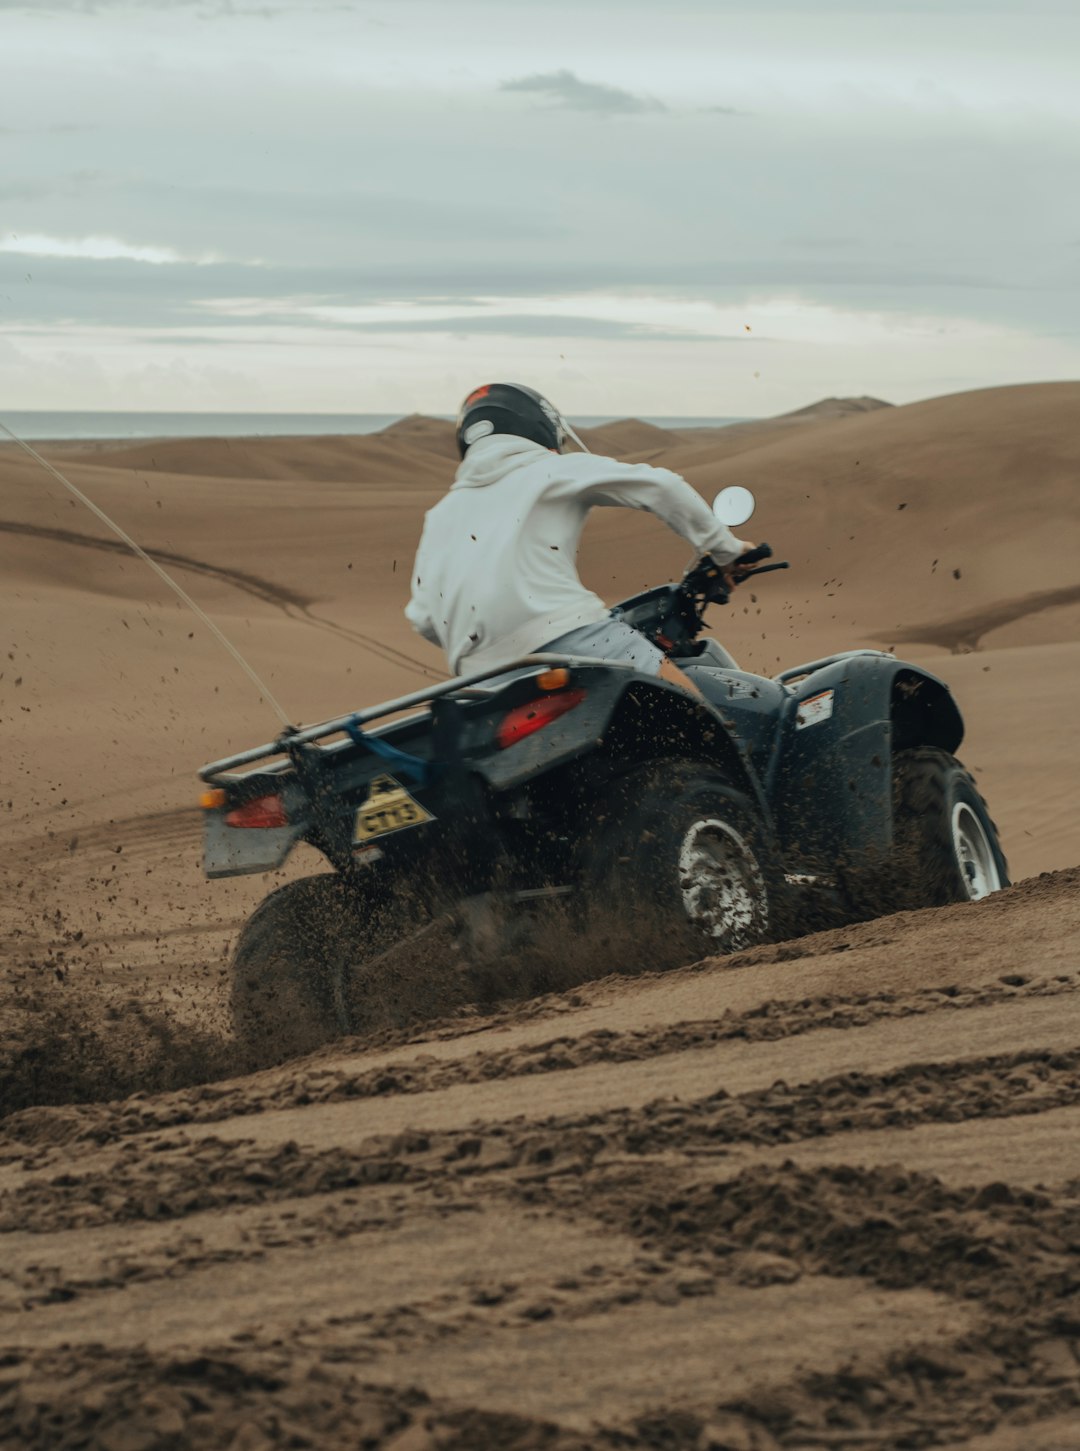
pixel 821 1195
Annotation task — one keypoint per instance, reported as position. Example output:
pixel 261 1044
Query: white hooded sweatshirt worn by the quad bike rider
pixel 496 575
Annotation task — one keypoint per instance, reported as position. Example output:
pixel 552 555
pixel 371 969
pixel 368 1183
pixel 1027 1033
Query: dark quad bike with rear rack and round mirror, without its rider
pixel 581 802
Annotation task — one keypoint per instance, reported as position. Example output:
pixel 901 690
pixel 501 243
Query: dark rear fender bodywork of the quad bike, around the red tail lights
pixel 622 715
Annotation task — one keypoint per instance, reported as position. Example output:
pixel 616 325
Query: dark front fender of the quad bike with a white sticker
pixel 832 777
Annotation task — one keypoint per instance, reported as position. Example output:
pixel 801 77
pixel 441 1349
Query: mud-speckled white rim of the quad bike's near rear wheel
pixel 724 892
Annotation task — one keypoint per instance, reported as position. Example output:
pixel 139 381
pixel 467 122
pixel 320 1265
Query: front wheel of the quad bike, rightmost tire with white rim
pixel 946 845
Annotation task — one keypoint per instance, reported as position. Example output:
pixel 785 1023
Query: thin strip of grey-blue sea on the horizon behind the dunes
pixel 44 426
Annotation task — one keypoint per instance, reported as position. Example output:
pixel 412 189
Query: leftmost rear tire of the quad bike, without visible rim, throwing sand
pixel 291 967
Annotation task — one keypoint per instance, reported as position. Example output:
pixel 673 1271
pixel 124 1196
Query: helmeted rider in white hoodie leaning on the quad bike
pixel 496 575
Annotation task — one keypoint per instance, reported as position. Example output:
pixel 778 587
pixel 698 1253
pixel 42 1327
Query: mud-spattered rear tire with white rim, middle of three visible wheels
pixel 682 868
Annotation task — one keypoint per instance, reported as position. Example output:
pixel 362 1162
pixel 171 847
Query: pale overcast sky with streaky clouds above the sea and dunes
pixel 697 208
